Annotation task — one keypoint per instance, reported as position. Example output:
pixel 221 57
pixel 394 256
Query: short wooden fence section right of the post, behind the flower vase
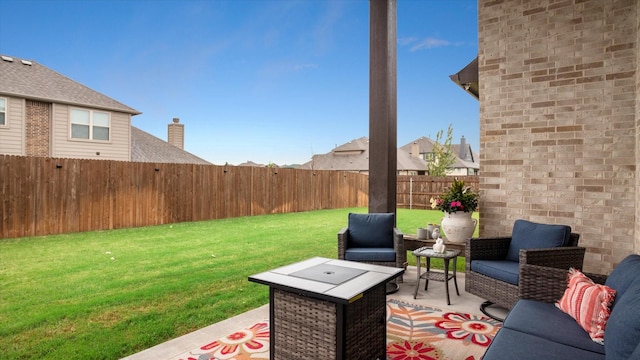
pixel 416 191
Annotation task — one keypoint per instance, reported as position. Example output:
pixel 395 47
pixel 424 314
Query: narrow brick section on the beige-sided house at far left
pixel 37 132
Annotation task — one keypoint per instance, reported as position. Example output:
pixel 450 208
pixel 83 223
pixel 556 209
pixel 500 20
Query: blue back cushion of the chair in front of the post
pixel 371 230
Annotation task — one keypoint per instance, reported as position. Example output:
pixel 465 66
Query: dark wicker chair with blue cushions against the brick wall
pixel 496 251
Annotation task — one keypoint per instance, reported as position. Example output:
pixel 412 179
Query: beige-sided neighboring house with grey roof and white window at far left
pixel 43 113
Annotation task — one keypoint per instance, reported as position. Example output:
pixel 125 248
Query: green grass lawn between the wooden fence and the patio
pixel 108 294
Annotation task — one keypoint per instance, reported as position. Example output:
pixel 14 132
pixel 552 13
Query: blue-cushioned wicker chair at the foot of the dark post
pixel 372 239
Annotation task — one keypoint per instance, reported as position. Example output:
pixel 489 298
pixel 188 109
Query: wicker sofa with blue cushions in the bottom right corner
pixel 536 329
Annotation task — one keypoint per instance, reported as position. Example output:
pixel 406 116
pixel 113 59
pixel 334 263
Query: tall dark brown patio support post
pixel 382 106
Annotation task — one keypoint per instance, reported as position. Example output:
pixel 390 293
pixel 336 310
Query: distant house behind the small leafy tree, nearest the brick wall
pixel 467 162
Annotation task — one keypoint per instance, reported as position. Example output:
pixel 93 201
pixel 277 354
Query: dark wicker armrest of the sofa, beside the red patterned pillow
pixel 542 283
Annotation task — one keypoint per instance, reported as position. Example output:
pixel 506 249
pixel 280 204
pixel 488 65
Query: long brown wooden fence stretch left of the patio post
pixel 41 196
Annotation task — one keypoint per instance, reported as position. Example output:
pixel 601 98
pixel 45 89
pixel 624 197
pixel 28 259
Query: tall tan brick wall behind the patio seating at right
pixel 559 120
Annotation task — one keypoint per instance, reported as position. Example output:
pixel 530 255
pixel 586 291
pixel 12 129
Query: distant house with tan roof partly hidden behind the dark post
pixel 354 157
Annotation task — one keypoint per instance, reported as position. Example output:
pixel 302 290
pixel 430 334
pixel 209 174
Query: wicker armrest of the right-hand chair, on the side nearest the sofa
pixel 557 257
